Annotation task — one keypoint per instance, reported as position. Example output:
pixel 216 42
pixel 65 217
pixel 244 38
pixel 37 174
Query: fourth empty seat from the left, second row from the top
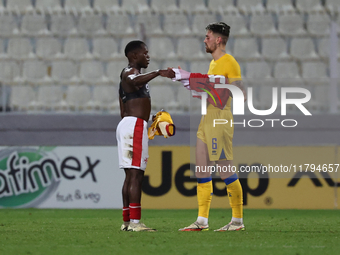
pixel 90 25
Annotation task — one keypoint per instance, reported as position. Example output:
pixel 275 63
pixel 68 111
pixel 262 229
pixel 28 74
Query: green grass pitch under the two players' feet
pixel 34 231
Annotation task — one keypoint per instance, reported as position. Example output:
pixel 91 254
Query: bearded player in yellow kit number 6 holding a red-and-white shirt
pixel 214 144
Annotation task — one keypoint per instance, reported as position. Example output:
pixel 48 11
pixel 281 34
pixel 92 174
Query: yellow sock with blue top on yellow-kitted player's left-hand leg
pixel 204 194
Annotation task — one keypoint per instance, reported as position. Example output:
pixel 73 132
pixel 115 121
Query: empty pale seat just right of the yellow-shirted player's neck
pixel 246 49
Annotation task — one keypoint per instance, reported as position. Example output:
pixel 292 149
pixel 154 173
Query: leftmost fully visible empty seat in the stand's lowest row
pixel 21 98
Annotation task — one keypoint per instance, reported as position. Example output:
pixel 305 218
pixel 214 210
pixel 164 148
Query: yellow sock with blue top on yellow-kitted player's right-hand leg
pixel 235 196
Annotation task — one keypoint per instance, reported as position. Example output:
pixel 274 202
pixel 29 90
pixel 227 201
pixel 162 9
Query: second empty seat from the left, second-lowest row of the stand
pixel 35 71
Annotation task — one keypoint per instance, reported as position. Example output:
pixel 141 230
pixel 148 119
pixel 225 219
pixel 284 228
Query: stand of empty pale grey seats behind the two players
pixel 80 44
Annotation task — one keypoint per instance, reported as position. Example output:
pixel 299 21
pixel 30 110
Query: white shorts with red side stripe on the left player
pixel 132 141
